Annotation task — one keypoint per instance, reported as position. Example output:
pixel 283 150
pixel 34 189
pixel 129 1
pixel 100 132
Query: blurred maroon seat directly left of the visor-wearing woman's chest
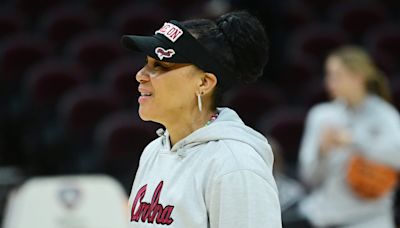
pixel 121 138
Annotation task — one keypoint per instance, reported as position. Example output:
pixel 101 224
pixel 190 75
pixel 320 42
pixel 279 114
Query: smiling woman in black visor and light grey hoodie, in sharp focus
pixel 207 169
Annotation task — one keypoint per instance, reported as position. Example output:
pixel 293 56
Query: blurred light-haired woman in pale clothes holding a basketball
pixel 360 123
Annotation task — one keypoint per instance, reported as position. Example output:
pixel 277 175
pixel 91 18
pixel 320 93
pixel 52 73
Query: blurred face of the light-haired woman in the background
pixel 340 82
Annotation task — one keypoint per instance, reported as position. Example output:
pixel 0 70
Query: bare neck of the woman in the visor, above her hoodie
pixel 184 125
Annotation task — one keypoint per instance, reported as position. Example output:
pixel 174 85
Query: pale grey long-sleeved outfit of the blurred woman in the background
pixel 375 129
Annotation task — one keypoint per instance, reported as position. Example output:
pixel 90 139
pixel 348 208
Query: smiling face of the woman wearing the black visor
pixel 167 90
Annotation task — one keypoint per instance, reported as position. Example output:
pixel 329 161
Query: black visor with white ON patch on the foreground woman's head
pixel 173 43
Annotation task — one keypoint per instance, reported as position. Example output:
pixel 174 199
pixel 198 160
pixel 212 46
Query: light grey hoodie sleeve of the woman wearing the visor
pixel 243 199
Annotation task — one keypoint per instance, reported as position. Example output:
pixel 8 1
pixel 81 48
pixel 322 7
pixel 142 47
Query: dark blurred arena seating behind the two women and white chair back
pixel 68 94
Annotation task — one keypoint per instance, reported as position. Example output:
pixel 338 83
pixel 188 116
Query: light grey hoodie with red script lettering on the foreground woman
pixel 220 176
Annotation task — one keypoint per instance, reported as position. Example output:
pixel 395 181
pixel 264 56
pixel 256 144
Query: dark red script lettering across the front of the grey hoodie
pixel 150 212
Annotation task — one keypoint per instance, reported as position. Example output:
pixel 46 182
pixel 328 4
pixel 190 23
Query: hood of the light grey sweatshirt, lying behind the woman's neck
pixel 228 126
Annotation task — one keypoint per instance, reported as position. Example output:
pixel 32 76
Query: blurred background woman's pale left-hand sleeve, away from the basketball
pixel 311 164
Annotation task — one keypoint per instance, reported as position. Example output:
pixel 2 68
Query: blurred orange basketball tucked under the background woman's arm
pixel 369 179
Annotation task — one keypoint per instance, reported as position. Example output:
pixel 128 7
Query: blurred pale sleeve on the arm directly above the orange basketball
pixel 385 146
